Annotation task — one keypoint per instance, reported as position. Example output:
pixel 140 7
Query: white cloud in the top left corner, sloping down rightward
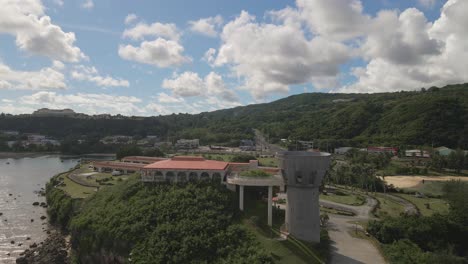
pixel 35 32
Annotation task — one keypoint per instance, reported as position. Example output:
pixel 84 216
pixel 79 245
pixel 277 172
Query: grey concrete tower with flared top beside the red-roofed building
pixel 303 173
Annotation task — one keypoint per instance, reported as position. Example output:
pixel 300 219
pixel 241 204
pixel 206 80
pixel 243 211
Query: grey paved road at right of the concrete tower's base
pixel 345 248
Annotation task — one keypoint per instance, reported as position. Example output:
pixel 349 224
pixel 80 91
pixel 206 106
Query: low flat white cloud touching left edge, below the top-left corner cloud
pixel 45 78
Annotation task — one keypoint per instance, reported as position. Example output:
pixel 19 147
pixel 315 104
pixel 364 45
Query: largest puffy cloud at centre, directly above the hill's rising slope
pixel 270 57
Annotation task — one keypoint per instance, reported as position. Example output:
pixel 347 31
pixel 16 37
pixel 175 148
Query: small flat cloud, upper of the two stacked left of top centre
pixel 142 30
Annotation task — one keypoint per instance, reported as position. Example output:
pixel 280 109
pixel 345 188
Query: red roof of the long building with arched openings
pixel 188 163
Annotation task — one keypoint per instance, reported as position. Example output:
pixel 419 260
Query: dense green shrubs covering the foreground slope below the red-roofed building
pixel 137 223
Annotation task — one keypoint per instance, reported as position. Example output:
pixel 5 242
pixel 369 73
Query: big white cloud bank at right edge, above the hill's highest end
pixel 427 68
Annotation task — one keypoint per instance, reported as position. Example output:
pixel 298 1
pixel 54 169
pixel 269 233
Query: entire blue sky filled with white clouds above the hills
pixel 162 57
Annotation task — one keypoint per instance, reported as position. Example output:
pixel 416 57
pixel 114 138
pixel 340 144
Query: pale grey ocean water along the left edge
pixel 20 180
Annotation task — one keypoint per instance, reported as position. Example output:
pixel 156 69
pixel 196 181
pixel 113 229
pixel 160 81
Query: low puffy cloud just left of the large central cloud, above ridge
pixel 189 84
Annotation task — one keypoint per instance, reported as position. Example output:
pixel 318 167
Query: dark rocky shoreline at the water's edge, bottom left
pixel 54 250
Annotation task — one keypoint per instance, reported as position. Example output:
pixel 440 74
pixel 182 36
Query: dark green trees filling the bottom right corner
pixel 428 239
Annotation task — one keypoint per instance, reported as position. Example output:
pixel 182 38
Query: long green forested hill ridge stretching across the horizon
pixel 436 116
